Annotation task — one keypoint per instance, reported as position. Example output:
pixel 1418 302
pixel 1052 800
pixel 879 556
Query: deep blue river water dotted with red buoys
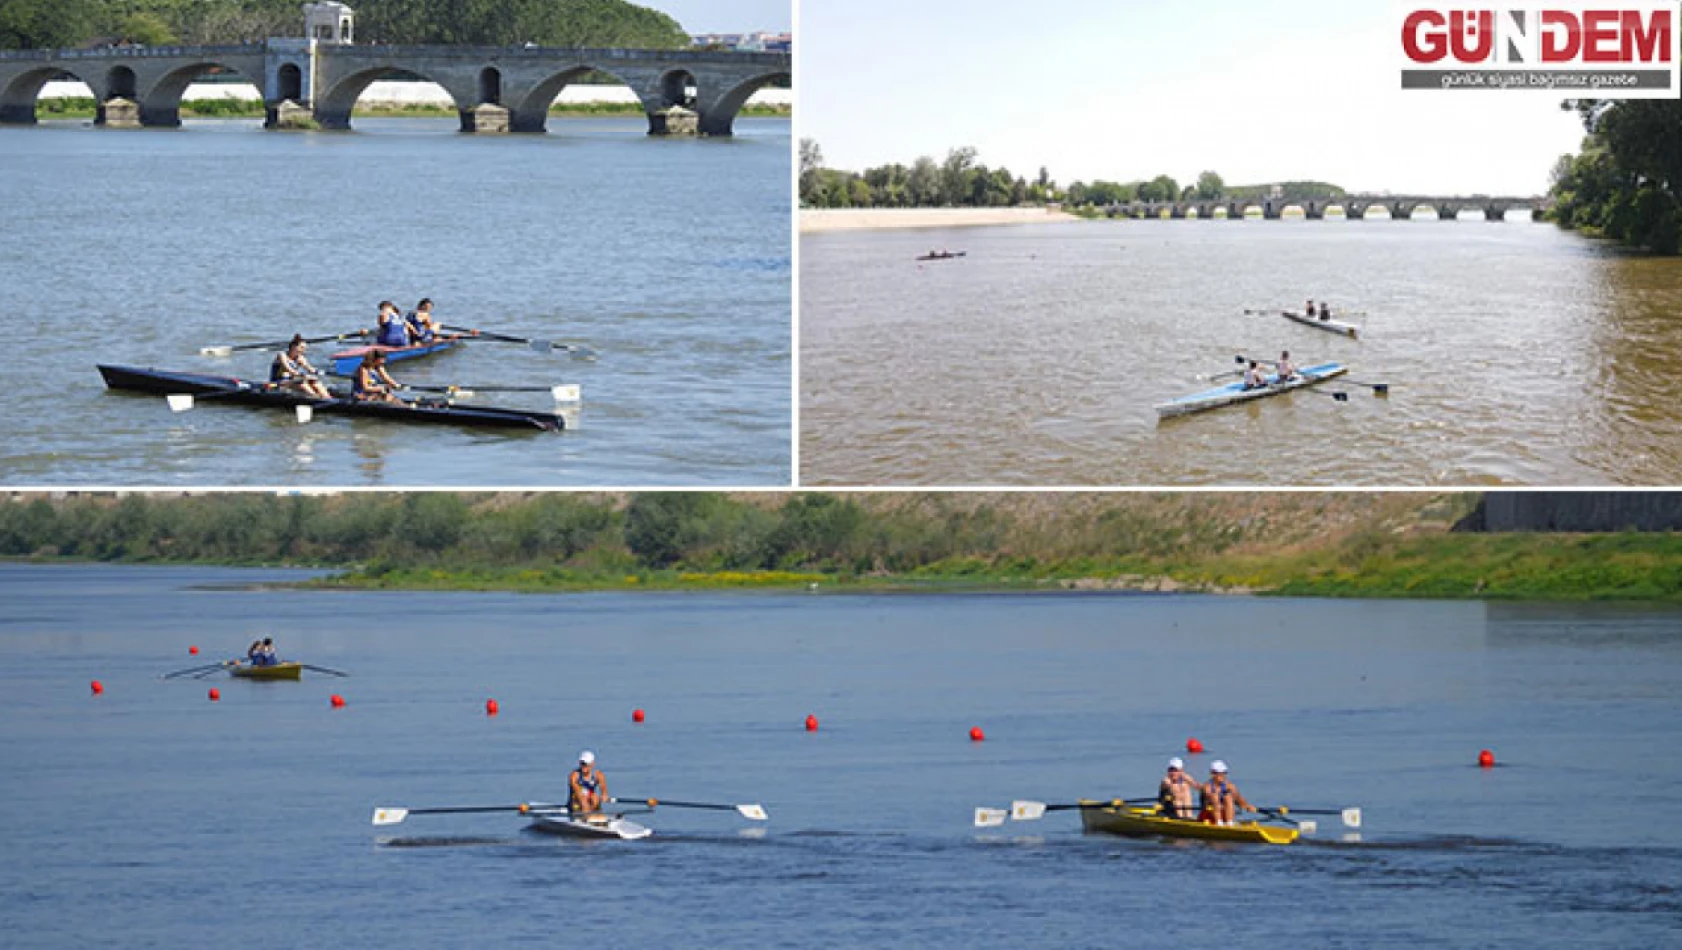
pixel 154 818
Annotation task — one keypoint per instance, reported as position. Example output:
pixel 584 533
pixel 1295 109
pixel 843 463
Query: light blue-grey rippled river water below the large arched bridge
pixel 669 256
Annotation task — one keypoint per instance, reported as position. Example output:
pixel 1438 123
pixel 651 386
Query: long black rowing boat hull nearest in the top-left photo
pixel 245 393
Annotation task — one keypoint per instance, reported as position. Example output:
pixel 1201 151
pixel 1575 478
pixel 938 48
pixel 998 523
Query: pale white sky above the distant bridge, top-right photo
pixel 1126 90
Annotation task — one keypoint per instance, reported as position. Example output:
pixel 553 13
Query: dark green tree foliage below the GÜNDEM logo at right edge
pixel 1627 182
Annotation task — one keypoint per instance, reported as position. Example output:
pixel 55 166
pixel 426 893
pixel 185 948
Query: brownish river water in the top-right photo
pixel 1516 356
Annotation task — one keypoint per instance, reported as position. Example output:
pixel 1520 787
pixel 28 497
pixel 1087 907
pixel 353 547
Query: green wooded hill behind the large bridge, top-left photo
pixel 60 24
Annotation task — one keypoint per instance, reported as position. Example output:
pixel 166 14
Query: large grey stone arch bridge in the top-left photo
pixel 684 92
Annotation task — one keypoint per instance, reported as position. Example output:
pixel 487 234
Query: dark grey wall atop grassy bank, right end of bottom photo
pixel 1577 512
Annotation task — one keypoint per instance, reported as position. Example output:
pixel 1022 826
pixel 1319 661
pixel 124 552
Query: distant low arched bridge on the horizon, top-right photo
pixel 1316 208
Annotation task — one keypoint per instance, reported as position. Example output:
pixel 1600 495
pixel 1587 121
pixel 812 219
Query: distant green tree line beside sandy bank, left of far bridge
pixel 961 181
